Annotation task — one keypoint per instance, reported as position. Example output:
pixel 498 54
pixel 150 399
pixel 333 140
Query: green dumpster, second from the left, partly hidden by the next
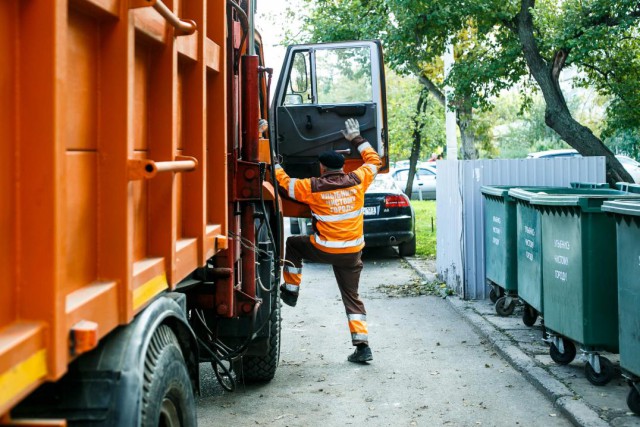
pixel 529 244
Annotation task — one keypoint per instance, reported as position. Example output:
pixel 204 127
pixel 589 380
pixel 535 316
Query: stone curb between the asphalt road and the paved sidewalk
pixel 572 406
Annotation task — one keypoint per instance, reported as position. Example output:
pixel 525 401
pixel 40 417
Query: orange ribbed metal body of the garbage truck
pixel 120 148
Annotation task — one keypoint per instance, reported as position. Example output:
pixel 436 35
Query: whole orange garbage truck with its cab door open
pixel 141 230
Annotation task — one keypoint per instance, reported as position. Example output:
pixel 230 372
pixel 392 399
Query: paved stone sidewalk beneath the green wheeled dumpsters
pixel 522 346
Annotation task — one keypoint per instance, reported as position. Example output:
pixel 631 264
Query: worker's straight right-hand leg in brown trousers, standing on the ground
pixel 347 274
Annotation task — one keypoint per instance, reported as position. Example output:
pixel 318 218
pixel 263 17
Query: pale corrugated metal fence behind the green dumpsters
pixel 460 208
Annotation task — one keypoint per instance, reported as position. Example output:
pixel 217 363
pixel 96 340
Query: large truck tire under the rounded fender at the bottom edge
pixel 167 393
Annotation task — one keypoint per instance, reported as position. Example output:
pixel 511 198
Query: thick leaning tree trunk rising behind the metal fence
pixel 557 114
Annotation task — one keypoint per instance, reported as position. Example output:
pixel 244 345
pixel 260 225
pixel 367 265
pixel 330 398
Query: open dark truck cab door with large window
pixel 320 87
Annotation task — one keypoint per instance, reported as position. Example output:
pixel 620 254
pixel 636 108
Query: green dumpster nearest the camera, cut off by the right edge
pixel 627 215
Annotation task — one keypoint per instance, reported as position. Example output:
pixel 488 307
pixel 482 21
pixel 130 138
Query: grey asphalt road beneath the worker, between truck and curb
pixel 430 368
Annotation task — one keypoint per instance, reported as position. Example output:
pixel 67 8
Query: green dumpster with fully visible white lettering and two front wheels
pixel 579 277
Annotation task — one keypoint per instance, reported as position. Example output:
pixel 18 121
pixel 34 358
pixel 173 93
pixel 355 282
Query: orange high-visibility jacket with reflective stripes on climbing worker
pixel 336 200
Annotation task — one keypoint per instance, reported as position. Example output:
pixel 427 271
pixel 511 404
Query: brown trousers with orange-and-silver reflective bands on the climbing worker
pixel 346 267
